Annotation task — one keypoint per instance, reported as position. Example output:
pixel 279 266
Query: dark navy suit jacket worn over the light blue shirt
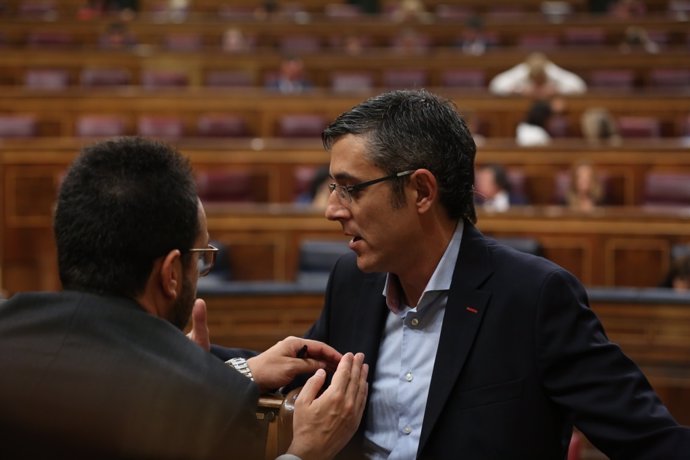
pixel 521 358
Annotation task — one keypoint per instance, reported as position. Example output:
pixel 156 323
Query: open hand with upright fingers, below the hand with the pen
pixel 323 425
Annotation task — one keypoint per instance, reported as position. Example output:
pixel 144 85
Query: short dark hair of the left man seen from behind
pixel 122 204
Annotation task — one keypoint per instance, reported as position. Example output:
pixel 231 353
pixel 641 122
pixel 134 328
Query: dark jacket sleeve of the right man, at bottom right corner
pixel 612 402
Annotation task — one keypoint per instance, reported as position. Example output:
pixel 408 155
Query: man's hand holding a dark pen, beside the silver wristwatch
pixel 280 364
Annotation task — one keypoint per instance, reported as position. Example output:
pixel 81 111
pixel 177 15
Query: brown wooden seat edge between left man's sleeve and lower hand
pixel 276 411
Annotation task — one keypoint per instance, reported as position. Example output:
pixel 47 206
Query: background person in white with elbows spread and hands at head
pixel 537 77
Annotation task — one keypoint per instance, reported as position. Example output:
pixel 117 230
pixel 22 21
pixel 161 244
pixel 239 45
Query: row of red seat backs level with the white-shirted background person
pixel 340 81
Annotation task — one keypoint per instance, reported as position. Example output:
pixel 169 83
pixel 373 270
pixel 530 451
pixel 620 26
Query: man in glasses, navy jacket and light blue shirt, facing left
pixel 476 350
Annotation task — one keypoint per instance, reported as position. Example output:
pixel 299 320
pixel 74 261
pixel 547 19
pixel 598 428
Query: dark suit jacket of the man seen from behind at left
pixel 86 376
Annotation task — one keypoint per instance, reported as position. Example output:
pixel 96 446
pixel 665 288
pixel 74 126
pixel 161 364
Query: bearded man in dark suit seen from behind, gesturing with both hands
pixel 102 370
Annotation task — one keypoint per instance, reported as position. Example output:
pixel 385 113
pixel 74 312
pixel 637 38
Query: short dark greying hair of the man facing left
pixel 413 129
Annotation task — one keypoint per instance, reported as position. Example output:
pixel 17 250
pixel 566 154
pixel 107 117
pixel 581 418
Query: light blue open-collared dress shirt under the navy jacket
pixel 407 353
